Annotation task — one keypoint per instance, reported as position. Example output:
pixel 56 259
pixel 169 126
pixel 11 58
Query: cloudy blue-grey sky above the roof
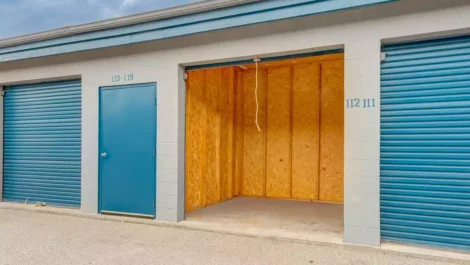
pixel 19 17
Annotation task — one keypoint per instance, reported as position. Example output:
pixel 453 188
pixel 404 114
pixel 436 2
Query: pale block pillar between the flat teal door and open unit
pixel 170 140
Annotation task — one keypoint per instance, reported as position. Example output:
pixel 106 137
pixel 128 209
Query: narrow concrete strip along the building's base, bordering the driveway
pixel 407 250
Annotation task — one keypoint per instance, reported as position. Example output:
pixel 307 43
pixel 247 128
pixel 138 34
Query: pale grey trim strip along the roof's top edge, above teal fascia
pixel 159 14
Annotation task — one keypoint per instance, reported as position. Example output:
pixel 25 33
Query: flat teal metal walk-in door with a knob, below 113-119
pixel 127 154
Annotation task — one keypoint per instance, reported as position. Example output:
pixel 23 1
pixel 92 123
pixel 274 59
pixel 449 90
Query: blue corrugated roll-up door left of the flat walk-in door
pixel 42 143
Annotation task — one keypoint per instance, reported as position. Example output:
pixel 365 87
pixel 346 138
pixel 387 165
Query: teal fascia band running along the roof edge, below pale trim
pixel 230 17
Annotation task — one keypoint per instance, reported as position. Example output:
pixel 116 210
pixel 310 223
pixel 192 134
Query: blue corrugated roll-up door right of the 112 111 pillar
pixel 425 143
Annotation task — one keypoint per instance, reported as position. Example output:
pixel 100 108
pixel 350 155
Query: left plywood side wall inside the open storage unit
pixel 210 136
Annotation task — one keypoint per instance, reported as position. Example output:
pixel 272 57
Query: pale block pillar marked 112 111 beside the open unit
pixel 362 144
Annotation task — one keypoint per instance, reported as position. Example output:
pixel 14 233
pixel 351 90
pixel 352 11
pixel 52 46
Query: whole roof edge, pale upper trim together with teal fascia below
pixel 170 23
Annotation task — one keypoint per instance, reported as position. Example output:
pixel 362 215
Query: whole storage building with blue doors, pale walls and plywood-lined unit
pixel 399 149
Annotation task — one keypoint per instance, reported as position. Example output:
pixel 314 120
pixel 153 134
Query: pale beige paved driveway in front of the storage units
pixel 39 238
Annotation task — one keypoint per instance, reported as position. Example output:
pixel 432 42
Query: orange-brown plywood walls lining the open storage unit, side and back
pixel 298 152
